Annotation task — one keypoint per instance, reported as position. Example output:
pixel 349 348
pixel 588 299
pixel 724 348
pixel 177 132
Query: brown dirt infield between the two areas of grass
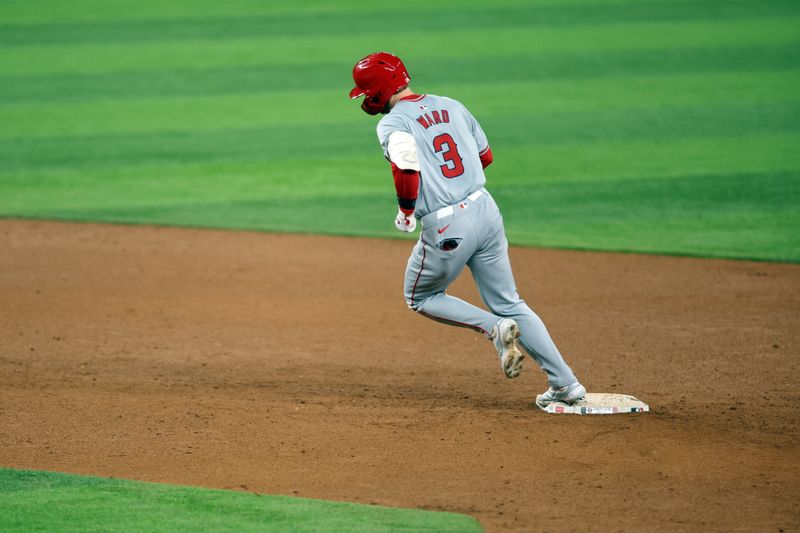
pixel 290 364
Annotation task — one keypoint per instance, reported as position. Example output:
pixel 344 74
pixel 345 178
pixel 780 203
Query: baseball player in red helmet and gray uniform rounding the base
pixel 437 152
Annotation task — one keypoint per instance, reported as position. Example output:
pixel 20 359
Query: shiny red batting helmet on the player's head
pixel 378 77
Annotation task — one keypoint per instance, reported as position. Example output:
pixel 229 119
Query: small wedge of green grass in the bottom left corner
pixel 44 501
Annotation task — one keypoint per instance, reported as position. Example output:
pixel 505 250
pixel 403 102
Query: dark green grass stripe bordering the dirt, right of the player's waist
pixel 730 215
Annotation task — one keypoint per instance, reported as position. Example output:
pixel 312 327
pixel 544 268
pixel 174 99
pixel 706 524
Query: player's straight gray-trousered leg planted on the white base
pixel 491 270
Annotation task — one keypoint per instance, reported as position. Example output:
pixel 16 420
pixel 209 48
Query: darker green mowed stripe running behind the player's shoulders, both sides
pixel 294 141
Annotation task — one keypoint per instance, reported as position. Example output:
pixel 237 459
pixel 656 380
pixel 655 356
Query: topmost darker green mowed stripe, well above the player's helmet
pixel 432 19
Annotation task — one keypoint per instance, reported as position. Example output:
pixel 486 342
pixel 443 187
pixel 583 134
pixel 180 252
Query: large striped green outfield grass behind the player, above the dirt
pixel 660 126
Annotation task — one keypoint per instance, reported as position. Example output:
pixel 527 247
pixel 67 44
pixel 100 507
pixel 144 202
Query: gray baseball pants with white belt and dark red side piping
pixel 471 233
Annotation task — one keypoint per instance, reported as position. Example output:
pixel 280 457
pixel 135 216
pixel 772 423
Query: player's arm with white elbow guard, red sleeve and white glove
pixel 402 154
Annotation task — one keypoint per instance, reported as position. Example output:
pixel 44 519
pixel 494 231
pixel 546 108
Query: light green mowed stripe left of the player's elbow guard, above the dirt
pixel 23 193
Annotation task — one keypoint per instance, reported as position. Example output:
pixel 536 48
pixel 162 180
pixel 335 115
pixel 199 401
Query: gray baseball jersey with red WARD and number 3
pixel 449 143
